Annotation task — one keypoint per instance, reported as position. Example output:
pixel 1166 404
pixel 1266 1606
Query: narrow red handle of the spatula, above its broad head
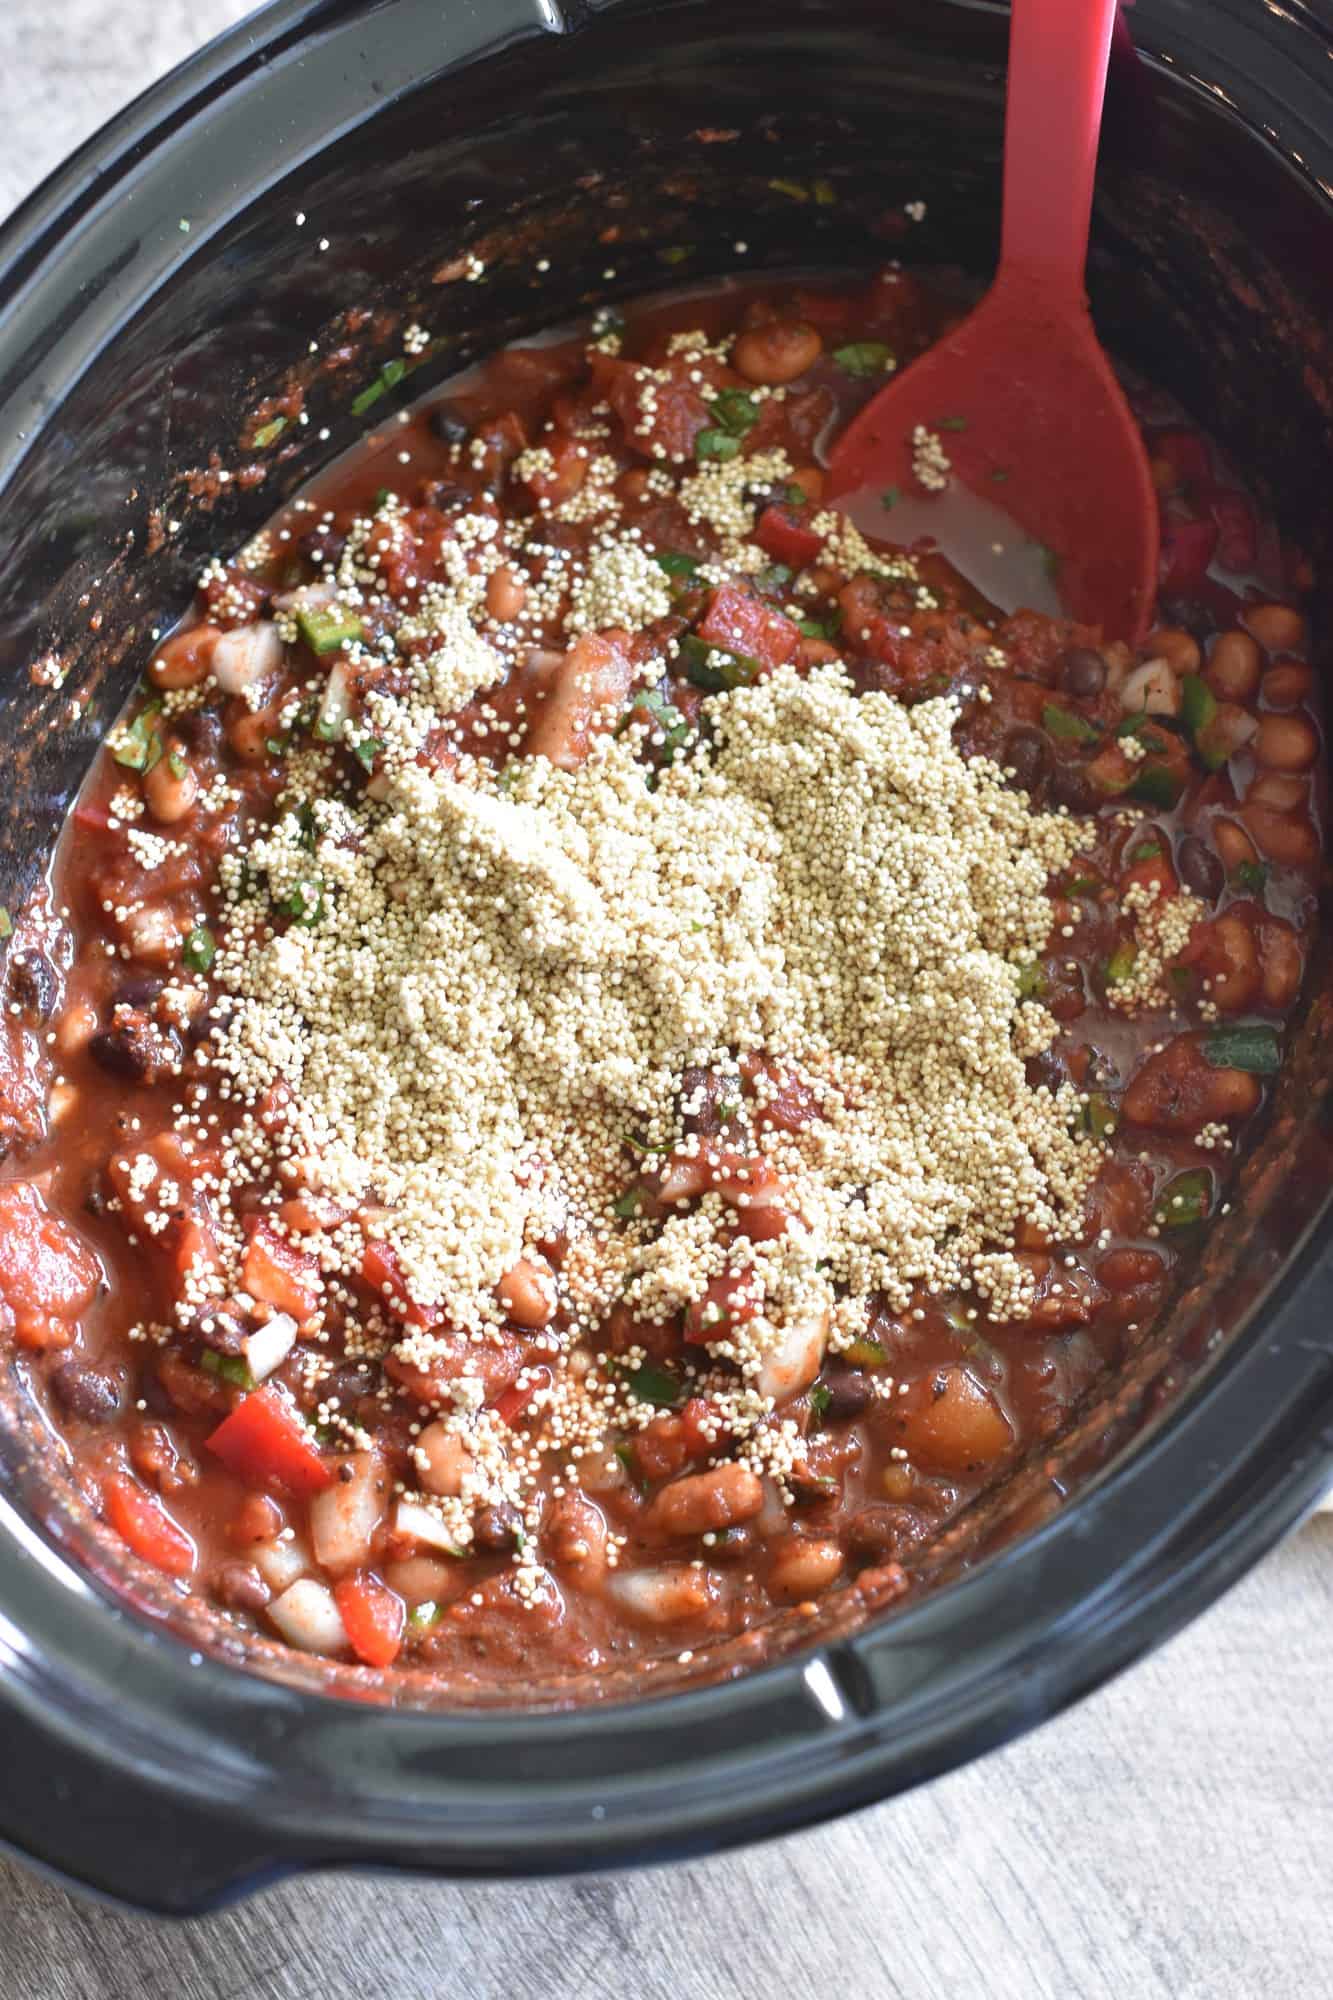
pixel 1058 79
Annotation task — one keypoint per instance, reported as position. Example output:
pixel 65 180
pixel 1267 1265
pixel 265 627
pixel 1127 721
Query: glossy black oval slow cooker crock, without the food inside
pixel 151 297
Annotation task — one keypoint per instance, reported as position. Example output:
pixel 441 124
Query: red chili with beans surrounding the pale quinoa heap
pixel 199 1471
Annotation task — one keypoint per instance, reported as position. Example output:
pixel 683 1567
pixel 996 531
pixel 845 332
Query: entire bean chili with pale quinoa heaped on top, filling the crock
pixel 609 1049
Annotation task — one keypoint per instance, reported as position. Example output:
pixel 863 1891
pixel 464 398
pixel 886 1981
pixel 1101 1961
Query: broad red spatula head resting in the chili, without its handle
pixel 1032 419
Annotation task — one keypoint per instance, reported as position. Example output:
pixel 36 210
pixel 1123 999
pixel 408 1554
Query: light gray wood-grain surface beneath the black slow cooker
pixel 1166 1841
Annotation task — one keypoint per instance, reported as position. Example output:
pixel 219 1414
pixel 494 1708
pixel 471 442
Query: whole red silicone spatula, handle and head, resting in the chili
pixel 1020 395
